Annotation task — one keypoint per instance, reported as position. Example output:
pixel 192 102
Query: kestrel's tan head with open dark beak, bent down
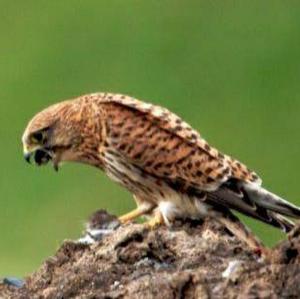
pixel 57 133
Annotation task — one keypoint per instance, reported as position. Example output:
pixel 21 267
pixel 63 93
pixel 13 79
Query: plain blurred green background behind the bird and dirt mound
pixel 231 68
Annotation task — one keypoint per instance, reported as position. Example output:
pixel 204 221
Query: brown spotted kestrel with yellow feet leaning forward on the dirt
pixel 169 168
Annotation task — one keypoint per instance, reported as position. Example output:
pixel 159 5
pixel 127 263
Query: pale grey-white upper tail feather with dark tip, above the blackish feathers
pixel 270 201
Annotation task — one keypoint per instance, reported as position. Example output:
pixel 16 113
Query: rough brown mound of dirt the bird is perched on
pixel 190 260
